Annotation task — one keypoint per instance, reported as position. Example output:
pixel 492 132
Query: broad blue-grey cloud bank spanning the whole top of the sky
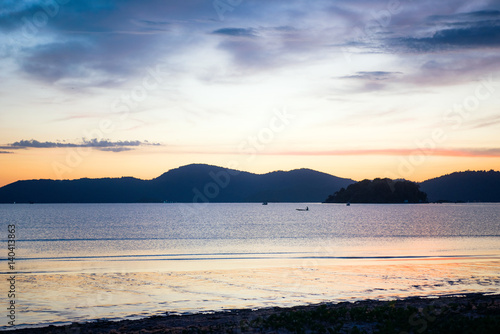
pixel 105 43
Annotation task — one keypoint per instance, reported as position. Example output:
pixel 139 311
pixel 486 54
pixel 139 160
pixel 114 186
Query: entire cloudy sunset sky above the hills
pixel 354 88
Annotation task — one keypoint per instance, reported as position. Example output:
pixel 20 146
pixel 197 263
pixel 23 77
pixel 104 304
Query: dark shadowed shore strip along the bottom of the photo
pixel 471 313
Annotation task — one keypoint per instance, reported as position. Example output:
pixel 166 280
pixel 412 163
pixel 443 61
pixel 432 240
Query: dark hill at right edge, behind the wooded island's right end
pixel 468 186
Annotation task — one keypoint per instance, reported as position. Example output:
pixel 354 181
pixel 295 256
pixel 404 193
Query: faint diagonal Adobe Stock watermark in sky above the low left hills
pixel 121 108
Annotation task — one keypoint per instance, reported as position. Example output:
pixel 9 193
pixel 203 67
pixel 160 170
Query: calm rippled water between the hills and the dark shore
pixel 77 262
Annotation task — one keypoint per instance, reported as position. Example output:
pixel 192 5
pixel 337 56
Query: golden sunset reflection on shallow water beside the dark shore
pixel 91 293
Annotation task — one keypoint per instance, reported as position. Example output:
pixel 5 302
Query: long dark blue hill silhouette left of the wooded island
pixel 192 183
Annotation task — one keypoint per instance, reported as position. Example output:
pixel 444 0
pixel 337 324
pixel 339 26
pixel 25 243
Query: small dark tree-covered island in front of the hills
pixel 379 191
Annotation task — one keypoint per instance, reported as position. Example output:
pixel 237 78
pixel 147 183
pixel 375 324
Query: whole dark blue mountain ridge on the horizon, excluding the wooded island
pixel 204 183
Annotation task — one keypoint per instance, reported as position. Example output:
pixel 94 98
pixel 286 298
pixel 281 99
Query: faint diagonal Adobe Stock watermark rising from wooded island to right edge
pixel 455 116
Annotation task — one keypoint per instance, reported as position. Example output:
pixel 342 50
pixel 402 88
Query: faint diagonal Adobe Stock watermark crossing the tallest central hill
pixel 248 149
